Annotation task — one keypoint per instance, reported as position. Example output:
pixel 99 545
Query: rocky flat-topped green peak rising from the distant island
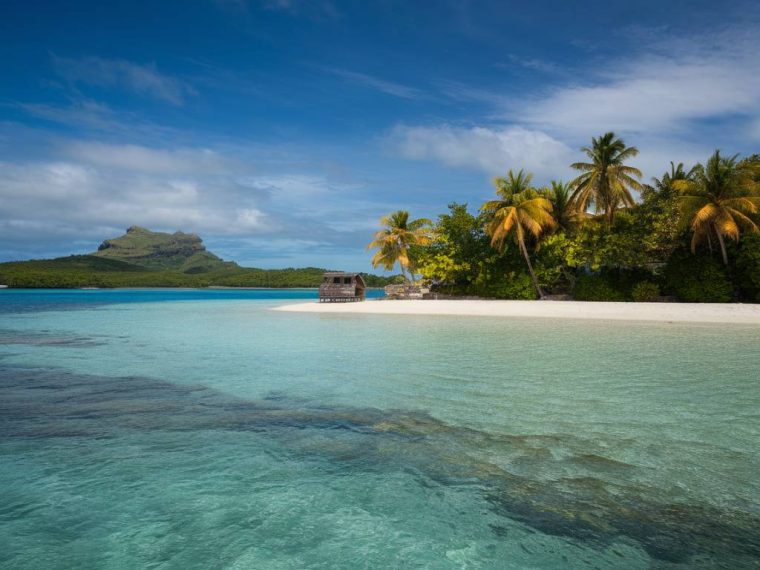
pixel 156 250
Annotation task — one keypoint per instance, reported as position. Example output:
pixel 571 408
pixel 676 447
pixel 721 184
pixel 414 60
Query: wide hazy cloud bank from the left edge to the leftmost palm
pixel 90 190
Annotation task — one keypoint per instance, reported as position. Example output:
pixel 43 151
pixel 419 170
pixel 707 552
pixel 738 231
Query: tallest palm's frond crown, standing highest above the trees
pixel 606 181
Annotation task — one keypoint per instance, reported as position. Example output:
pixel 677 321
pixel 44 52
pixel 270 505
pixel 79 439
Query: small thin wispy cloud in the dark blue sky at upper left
pixel 142 79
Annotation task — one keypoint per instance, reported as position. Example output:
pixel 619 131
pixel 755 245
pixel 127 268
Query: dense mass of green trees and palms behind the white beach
pixel 692 235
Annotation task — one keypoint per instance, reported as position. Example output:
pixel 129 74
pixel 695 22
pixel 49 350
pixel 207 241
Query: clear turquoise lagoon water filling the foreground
pixel 199 429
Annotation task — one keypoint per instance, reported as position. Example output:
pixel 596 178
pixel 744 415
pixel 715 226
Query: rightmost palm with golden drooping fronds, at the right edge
pixel 720 200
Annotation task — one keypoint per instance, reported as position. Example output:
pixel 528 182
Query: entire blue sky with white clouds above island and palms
pixel 280 131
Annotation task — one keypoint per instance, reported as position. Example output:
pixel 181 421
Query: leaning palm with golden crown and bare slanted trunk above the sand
pixel 518 214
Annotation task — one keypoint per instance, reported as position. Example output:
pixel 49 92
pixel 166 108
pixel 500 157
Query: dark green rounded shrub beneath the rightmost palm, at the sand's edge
pixel 697 279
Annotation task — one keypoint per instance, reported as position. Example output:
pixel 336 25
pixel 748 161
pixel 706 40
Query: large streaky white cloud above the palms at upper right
pixel 662 100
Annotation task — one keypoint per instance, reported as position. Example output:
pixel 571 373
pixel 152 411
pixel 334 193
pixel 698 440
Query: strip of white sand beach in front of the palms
pixel 660 312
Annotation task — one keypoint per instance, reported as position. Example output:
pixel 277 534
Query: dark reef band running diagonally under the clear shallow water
pixel 49 403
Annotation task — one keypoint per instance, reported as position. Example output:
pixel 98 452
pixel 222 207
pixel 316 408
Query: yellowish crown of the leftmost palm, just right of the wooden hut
pixel 396 238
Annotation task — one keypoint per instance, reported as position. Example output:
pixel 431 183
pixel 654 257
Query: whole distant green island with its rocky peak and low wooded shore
pixel 144 258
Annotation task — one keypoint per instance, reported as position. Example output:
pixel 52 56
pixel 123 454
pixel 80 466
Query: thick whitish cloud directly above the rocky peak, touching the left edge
pixel 62 195
